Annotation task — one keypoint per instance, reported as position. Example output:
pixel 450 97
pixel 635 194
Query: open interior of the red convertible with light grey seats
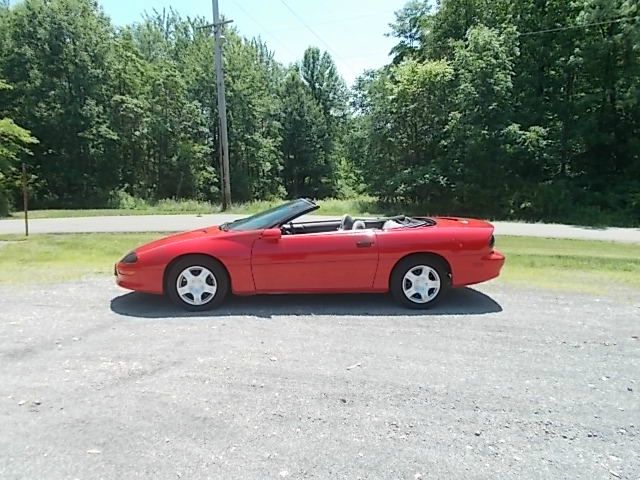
pixel 349 223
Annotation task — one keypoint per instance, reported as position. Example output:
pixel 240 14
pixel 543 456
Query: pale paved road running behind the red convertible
pixel 175 223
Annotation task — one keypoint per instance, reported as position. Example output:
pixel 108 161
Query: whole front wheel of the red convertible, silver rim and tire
pixel 197 283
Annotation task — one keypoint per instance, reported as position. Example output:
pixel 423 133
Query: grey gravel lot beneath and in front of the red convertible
pixel 497 382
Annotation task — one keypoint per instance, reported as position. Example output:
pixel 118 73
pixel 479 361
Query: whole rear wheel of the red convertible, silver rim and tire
pixel 420 281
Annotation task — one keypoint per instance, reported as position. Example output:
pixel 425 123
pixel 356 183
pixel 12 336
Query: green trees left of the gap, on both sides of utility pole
pixel 127 113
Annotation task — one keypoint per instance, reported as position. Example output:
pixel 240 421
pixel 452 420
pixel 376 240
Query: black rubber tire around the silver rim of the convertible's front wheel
pixel 196 262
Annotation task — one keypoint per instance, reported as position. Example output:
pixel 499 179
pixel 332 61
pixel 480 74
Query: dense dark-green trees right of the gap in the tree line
pixel 484 112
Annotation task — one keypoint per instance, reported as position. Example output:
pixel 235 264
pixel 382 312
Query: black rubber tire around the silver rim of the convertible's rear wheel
pixel 438 268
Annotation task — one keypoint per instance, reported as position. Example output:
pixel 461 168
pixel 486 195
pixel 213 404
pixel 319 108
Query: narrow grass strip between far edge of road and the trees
pixel 357 206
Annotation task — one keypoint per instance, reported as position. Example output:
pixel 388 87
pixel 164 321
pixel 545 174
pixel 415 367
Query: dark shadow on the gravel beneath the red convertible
pixel 462 301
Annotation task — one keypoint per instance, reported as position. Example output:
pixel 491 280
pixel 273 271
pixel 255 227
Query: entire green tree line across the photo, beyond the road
pixel 505 108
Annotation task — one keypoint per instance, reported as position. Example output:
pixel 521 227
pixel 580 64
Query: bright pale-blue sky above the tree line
pixel 352 31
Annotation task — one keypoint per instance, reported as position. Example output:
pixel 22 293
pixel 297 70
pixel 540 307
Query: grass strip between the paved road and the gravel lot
pixel 564 265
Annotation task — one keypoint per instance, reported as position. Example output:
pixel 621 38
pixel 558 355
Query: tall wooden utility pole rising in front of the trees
pixel 222 106
